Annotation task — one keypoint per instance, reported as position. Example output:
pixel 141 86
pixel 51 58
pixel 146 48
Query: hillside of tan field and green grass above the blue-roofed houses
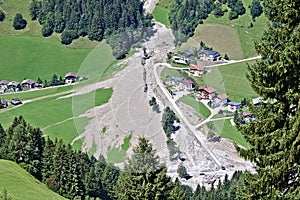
pixel 214 33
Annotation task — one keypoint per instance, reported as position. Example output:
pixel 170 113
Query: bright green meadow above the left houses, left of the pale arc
pixel 33 57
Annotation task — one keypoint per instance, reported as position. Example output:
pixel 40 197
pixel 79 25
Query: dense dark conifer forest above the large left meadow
pixel 96 19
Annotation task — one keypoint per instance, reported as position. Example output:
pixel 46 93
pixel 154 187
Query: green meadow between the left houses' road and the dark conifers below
pixel 56 115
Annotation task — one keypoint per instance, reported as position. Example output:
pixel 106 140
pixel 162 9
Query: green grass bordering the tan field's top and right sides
pixel 246 35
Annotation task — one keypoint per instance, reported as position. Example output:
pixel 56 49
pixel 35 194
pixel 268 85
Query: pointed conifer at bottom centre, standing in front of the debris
pixel 143 177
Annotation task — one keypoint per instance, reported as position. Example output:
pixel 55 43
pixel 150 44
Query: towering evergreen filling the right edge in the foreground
pixel 274 135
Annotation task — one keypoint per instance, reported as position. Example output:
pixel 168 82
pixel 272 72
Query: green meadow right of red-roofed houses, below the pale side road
pixel 232 80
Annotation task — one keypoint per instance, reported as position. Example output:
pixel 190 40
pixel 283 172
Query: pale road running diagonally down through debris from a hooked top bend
pixel 200 137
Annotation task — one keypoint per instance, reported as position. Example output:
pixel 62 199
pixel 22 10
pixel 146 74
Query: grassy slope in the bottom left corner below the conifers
pixel 20 185
